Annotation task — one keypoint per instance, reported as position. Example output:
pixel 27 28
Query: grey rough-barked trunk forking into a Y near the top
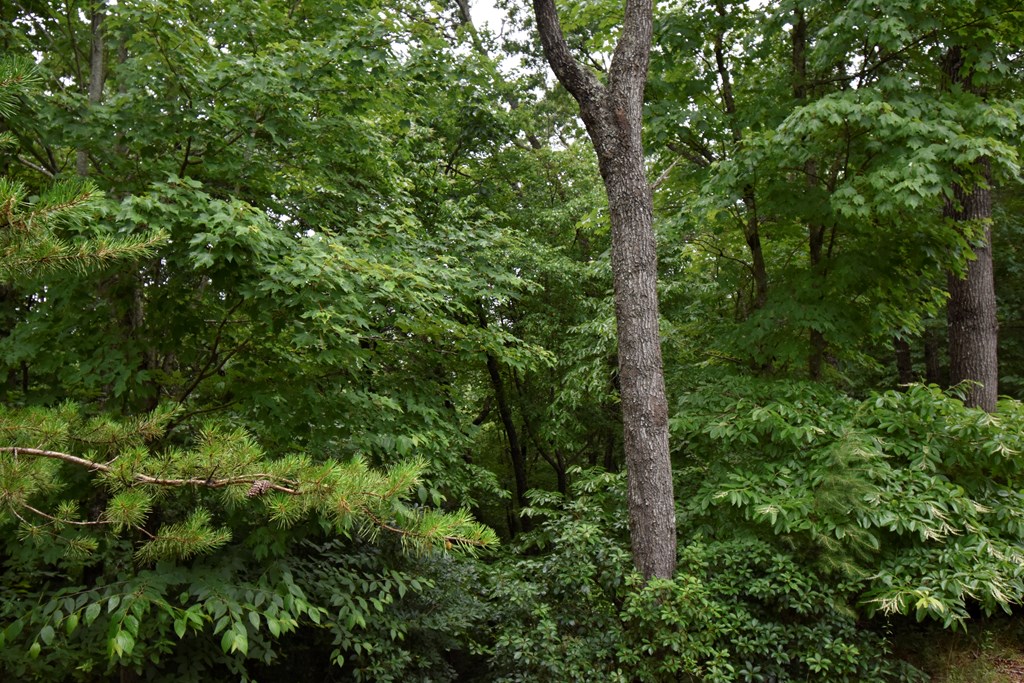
pixel 613 115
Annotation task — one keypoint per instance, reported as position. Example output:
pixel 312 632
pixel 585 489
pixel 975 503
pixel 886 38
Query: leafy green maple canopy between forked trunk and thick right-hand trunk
pixel 852 152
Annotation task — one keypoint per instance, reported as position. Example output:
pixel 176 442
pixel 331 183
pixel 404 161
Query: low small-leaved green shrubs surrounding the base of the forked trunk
pixel 738 611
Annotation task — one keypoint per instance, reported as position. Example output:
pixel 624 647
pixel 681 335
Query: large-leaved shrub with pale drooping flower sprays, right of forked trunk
pixel 910 495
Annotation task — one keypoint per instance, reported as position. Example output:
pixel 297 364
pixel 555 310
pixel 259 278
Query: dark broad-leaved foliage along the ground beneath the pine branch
pixel 325 607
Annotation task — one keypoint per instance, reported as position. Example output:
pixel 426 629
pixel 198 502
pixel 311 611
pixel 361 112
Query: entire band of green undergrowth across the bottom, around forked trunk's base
pixel 813 525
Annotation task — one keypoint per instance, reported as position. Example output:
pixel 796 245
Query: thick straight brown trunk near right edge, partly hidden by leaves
pixel 971 315
